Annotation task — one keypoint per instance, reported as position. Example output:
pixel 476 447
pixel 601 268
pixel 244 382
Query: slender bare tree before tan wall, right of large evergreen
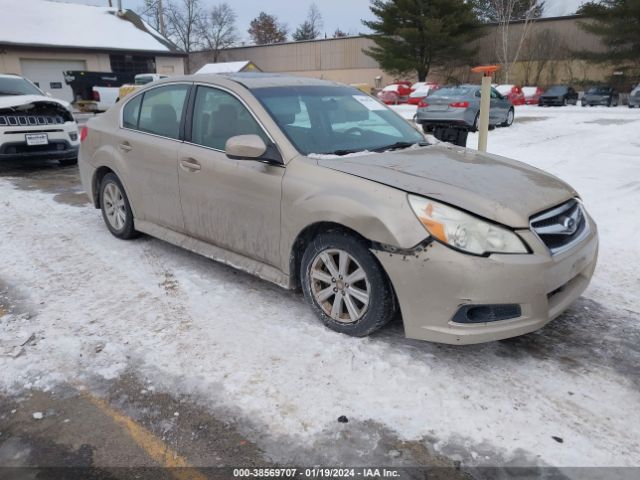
pixel 509 44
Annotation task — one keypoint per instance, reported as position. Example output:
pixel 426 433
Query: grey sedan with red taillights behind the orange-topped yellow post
pixel 460 105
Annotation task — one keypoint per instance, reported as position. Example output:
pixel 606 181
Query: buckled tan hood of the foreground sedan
pixel 493 187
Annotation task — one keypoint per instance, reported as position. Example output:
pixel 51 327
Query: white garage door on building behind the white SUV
pixel 47 74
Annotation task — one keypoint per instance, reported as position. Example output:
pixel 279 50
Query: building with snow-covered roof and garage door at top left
pixel 40 39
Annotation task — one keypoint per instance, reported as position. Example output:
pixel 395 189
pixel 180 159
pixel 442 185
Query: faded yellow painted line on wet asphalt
pixel 152 445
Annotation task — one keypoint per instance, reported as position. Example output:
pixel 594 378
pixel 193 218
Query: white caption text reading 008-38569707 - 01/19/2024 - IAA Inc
pixel 315 472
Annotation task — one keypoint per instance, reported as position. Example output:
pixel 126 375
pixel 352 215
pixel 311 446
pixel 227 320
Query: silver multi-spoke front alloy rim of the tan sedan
pixel 339 285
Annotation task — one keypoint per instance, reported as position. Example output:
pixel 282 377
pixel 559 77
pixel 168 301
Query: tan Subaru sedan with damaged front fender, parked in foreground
pixel 315 185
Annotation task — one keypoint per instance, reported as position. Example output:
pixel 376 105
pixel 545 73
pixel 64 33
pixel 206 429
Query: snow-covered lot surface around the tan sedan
pixel 100 307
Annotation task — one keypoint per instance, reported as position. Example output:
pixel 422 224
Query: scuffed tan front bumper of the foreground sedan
pixel 434 284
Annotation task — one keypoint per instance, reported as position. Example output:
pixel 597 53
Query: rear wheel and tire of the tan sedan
pixel 116 210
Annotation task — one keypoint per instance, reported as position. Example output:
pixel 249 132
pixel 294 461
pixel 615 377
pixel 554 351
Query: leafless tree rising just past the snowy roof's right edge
pixel 183 20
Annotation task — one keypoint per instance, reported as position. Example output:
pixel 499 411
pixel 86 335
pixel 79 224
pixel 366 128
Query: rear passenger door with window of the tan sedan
pixel 149 141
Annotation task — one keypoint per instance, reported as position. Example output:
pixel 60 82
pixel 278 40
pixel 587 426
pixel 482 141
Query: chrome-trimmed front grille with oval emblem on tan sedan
pixel 561 227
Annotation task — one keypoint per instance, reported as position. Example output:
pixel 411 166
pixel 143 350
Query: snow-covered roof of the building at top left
pixel 46 24
